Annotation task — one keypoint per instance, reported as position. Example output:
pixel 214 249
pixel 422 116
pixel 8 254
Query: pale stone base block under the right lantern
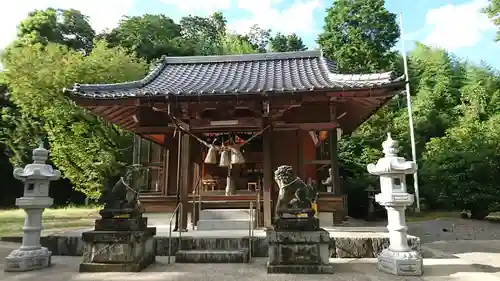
pixel 408 263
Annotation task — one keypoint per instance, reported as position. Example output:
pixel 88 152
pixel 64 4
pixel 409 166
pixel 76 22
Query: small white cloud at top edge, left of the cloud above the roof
pixel 199 7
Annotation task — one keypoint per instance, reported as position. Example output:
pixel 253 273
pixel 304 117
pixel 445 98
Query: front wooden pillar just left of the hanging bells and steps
pixel 185 180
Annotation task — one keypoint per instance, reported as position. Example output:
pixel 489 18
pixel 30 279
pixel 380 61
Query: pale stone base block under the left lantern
pixel 26 260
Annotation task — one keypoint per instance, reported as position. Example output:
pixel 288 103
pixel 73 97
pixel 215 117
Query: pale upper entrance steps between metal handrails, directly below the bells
pixel 225 219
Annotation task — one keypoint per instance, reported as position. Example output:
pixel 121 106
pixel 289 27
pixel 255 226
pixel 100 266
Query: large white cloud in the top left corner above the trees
pixel 103 13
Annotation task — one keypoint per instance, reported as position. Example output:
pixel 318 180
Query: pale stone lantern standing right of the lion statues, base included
pixel 398 259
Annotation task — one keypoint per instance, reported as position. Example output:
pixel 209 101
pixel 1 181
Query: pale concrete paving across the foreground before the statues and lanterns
pixel 65 269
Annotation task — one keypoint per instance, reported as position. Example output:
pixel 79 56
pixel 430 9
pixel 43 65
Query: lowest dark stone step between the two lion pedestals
pixel 213 256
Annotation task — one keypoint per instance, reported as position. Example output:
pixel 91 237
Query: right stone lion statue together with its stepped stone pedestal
pixel 296 242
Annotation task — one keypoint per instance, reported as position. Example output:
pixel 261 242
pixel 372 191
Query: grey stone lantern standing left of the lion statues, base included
pixel 36 177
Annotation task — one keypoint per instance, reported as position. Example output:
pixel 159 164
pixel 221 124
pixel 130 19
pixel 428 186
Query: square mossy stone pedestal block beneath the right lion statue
pixel 298 252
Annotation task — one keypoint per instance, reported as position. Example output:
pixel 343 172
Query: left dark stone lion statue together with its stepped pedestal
pixel 121 240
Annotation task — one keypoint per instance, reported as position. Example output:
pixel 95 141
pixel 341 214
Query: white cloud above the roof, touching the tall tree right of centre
pixel 295 18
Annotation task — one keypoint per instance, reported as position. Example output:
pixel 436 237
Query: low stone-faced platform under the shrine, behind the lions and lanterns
pixel 345 242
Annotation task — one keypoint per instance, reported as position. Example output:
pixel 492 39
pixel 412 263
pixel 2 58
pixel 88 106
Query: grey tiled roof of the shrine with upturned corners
pixel 253 73
